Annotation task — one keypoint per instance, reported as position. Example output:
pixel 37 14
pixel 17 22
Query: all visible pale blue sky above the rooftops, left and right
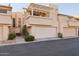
pixel 65 8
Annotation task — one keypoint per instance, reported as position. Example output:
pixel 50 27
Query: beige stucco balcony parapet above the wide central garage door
pixel 40 20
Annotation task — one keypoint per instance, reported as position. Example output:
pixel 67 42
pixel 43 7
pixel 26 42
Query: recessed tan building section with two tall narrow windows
pixel 17 24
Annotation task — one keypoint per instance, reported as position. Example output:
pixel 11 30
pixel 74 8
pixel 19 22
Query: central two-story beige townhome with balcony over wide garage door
pixel 42 20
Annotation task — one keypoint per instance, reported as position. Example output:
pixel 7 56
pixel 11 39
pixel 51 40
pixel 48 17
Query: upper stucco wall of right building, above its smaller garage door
pixel 68 20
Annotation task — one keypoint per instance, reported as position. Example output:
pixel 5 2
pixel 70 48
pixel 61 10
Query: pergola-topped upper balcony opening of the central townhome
pixel 38 10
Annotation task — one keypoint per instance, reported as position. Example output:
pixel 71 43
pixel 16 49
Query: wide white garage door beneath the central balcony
pixel 43 32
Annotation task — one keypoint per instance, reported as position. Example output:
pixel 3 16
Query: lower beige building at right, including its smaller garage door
pixel 69 25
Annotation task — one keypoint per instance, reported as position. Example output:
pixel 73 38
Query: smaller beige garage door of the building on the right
pixel 69 32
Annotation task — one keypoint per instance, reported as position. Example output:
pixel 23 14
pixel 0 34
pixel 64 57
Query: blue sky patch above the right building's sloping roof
pixel 69 9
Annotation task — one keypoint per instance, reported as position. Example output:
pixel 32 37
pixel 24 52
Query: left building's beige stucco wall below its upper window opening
pixel 5 22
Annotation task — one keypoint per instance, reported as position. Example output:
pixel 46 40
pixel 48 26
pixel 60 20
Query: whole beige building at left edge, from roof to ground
pixel 5 21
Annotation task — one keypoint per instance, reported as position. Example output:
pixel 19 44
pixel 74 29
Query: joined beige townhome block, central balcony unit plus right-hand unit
pixel 45 21
